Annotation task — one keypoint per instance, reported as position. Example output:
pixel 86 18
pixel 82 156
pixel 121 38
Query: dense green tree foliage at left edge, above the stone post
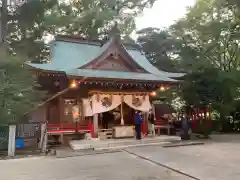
pixel 18 90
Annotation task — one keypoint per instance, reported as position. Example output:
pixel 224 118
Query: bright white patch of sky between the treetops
pixel 163 13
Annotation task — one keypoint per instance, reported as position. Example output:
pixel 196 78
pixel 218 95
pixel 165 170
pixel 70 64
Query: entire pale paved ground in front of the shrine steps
pixel 217 159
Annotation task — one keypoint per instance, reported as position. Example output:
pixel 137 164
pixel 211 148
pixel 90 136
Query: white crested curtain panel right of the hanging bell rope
pixel 140 103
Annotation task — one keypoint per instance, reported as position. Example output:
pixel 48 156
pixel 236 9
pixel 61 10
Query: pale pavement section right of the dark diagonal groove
pixel 212 161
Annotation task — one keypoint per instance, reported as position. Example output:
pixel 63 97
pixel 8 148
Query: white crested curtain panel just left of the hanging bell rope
pixel 105 102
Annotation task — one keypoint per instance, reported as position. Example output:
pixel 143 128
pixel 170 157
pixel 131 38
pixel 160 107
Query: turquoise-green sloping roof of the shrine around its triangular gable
pixel 67 56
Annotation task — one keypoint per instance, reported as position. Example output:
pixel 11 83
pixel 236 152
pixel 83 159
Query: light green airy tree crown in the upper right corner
pixel 210 35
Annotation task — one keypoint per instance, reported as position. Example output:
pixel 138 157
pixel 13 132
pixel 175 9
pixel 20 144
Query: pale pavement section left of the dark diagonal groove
pixel 113 166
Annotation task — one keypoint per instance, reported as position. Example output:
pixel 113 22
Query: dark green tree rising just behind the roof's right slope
pixel 159 47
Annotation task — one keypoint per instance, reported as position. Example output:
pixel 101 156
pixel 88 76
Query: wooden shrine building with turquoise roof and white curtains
pixel 87 79
